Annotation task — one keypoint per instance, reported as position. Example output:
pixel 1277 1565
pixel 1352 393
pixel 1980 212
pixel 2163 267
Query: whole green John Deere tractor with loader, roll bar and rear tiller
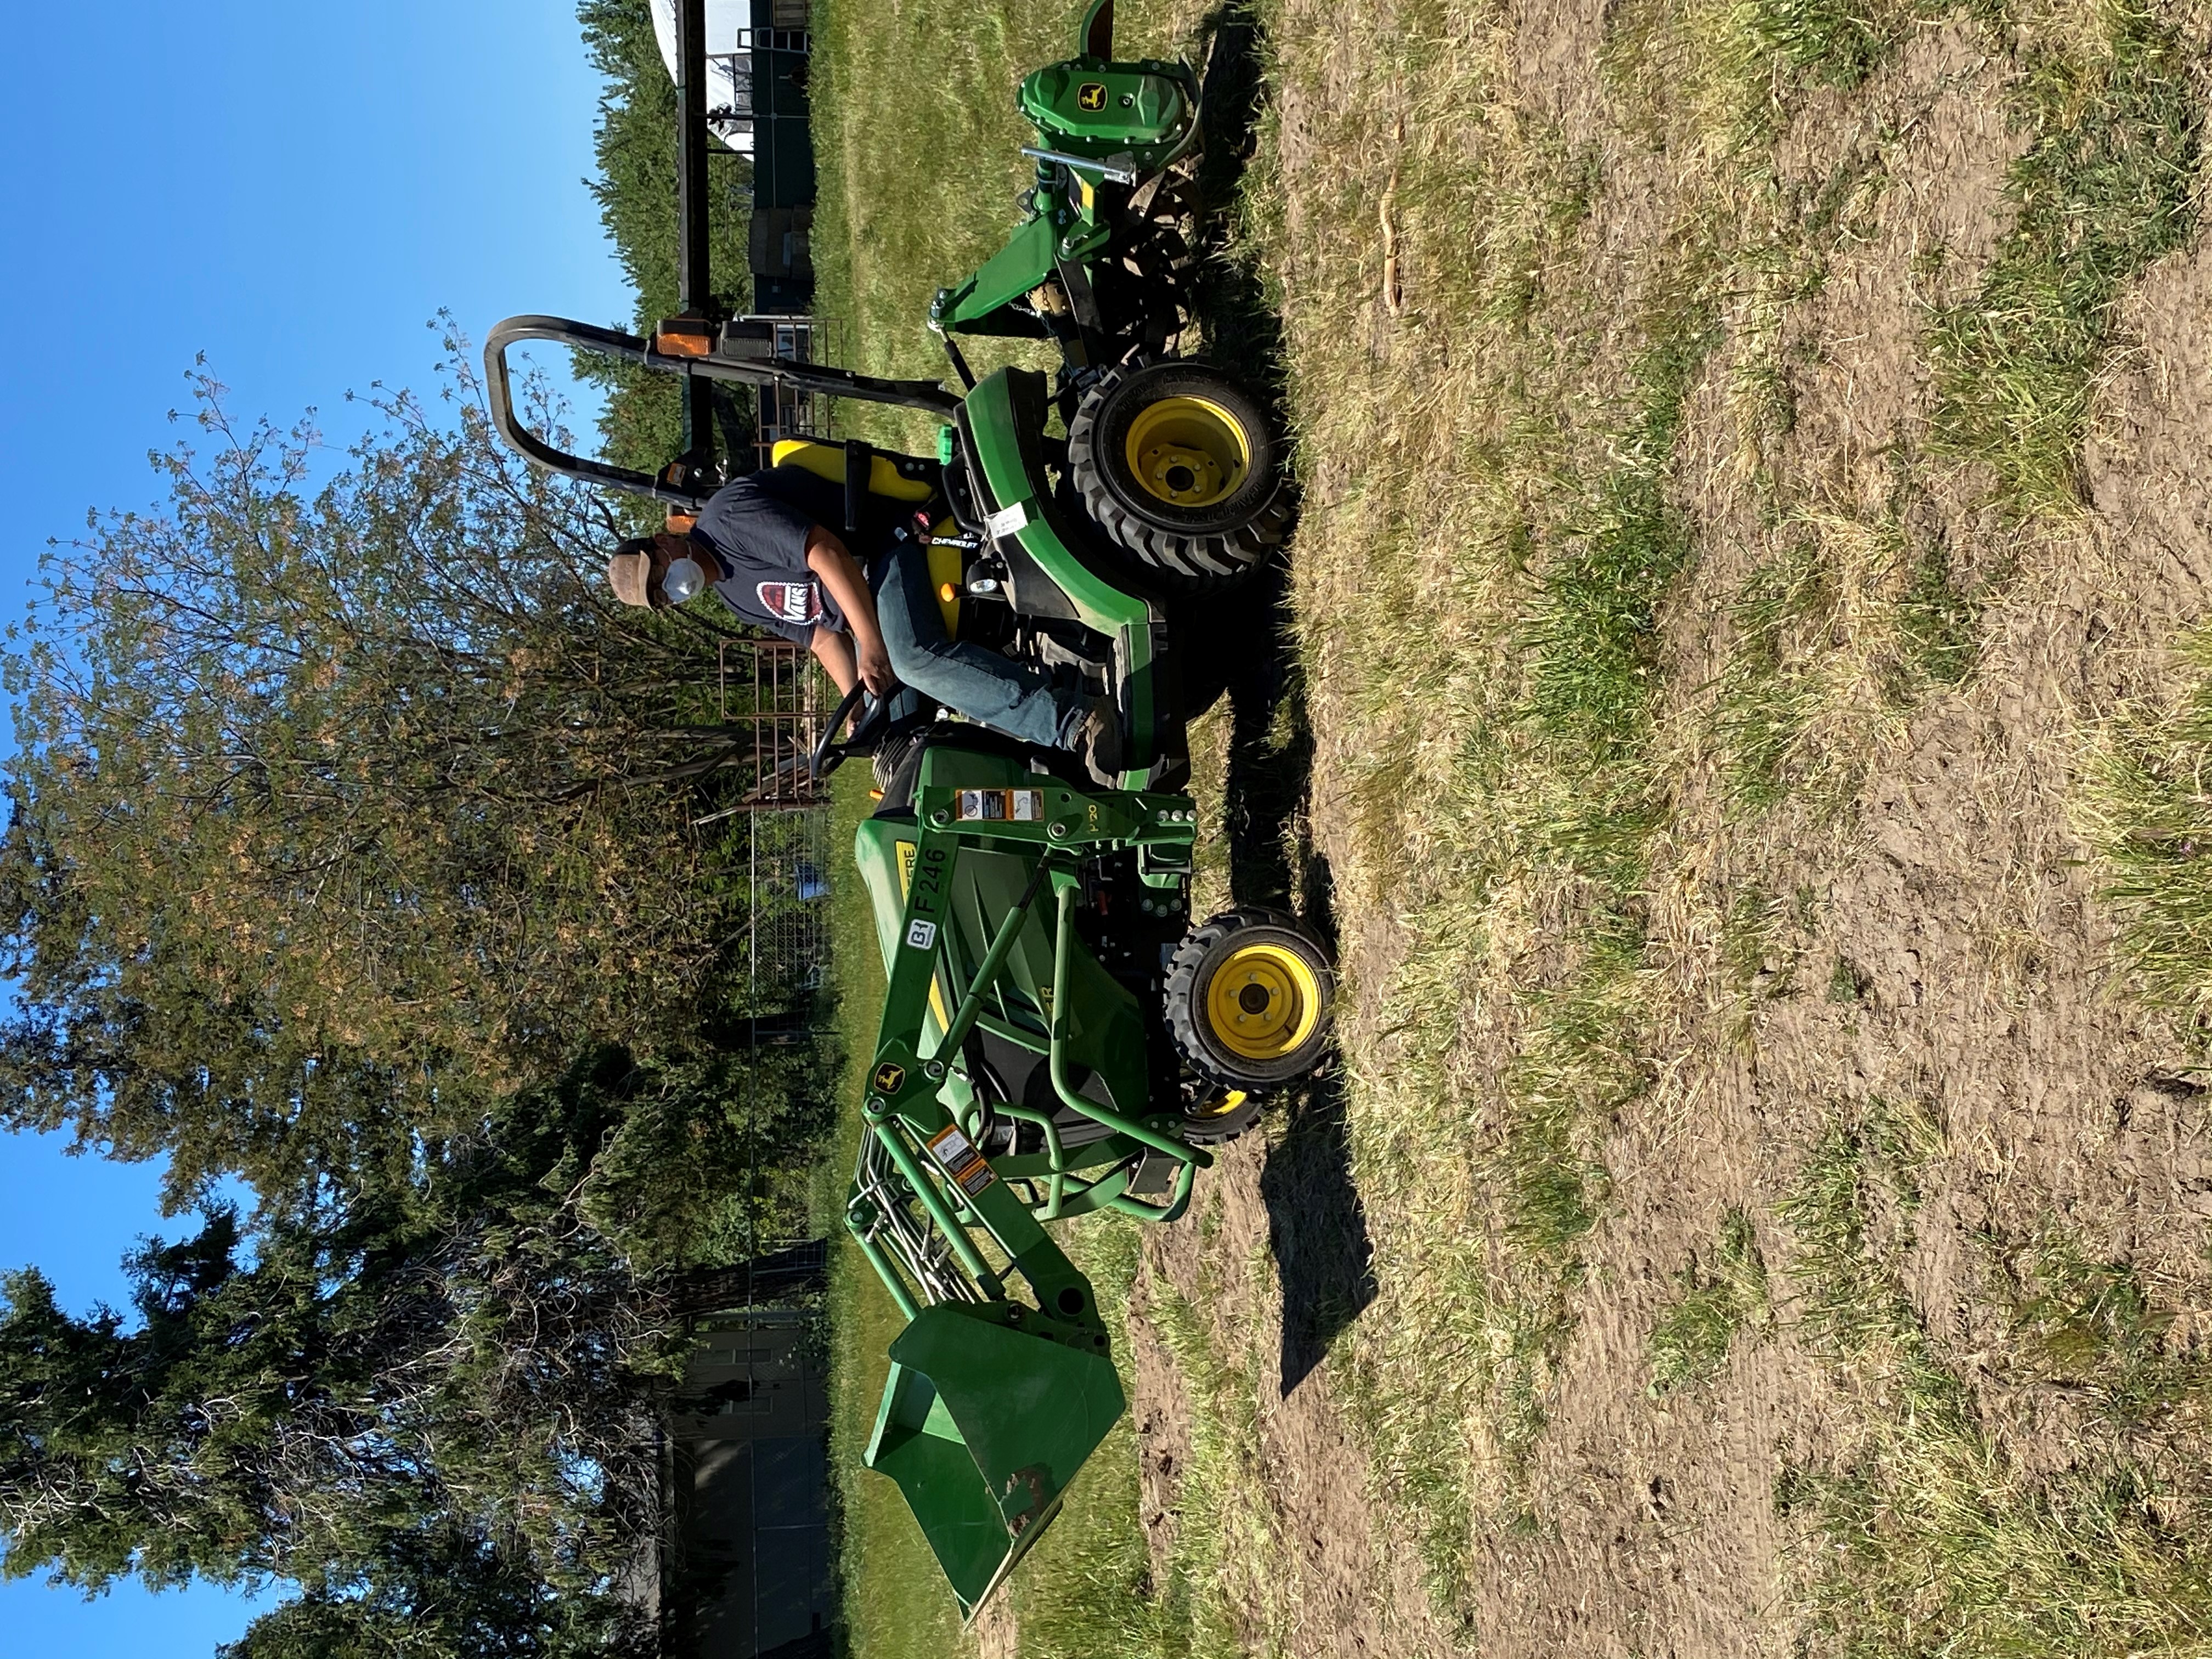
pixel 1056 1036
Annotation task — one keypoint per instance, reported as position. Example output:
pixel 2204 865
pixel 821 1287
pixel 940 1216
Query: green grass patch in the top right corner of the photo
pixel 2105 189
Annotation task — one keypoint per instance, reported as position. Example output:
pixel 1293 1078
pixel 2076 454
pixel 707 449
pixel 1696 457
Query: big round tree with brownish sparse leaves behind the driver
pixel 340 815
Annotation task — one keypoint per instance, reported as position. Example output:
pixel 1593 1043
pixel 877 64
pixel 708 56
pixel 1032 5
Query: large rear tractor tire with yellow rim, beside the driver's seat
pixel 1229 521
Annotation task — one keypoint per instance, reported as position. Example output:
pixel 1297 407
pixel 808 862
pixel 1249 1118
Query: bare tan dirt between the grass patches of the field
pixel 1952 895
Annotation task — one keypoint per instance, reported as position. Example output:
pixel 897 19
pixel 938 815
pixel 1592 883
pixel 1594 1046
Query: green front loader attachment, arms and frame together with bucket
pixel 992 1404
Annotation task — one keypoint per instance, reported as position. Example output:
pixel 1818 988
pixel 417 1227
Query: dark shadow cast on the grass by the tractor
pixel 1315 1220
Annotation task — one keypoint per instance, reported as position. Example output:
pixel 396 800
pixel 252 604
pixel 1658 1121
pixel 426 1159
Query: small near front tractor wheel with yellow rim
pixel 1291 1039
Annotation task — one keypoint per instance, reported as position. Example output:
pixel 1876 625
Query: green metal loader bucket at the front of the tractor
pixel 983 1428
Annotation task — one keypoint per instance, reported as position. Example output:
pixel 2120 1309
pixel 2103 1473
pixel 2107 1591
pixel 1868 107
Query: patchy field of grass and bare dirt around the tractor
pixel 1746 709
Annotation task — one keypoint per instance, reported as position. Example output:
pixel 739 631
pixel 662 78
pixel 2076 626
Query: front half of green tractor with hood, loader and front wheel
pixel 1056 1041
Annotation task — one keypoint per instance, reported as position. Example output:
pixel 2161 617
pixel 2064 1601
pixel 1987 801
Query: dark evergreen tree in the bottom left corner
pixel 424 1401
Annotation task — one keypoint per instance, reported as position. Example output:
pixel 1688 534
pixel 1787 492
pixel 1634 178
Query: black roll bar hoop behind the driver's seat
pixel 607 342
